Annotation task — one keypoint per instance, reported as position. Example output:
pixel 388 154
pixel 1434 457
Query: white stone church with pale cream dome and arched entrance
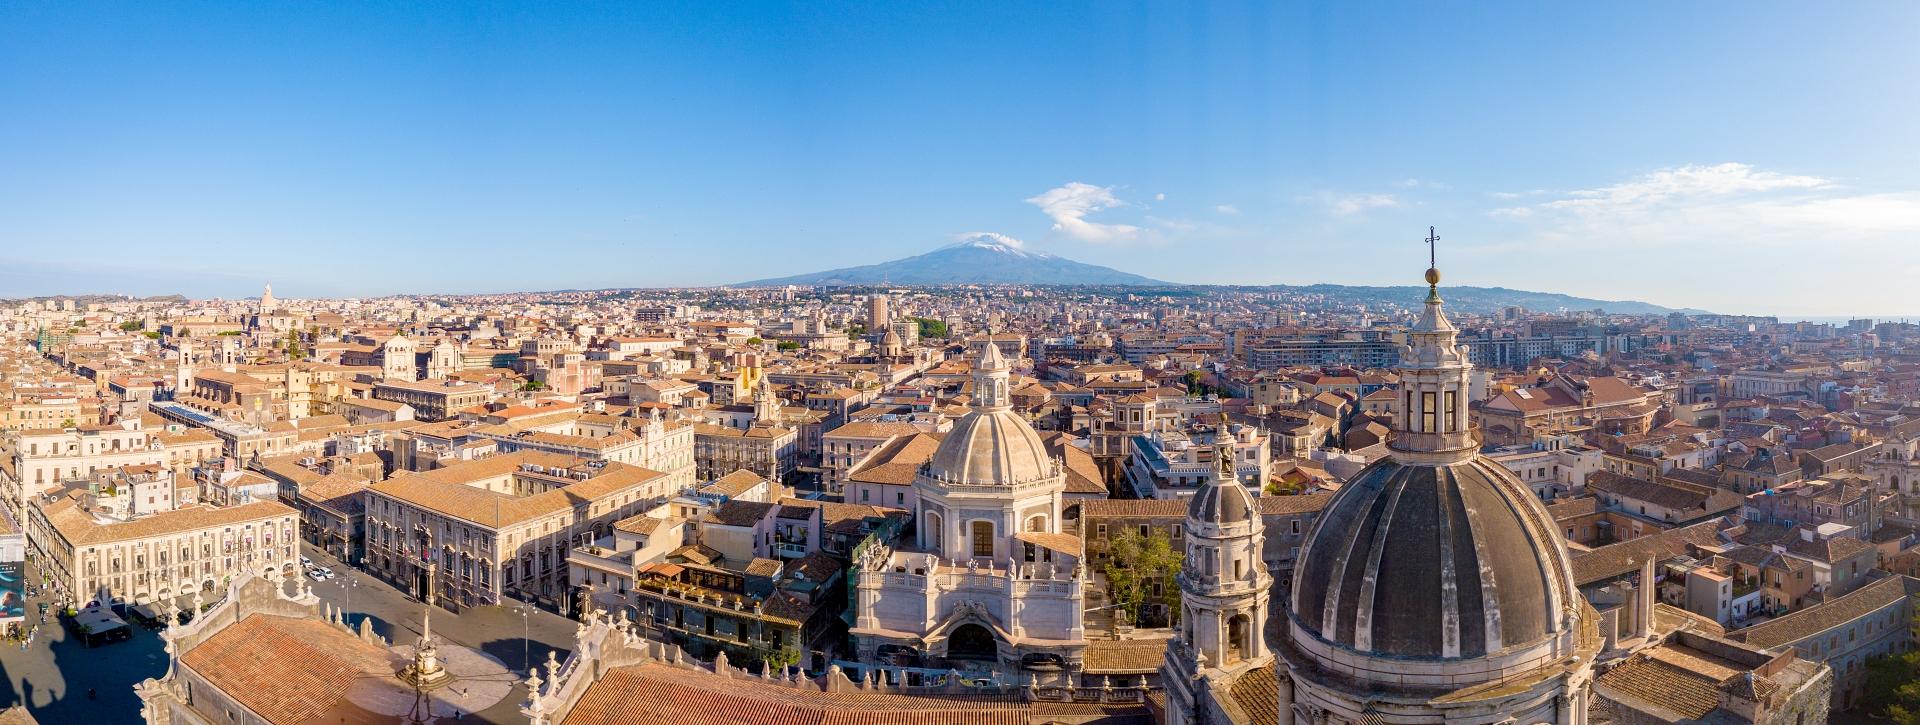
pixel 990 582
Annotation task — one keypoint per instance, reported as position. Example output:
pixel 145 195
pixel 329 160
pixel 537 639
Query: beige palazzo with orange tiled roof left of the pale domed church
pixel 498 526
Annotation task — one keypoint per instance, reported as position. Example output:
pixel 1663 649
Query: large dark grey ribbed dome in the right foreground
pixel 1445 563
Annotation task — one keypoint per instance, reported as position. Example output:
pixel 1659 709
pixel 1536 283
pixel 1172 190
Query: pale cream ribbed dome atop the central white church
pixel 992 448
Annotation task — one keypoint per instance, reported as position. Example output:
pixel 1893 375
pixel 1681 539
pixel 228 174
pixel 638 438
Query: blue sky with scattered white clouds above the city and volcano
pixel 1748 158
